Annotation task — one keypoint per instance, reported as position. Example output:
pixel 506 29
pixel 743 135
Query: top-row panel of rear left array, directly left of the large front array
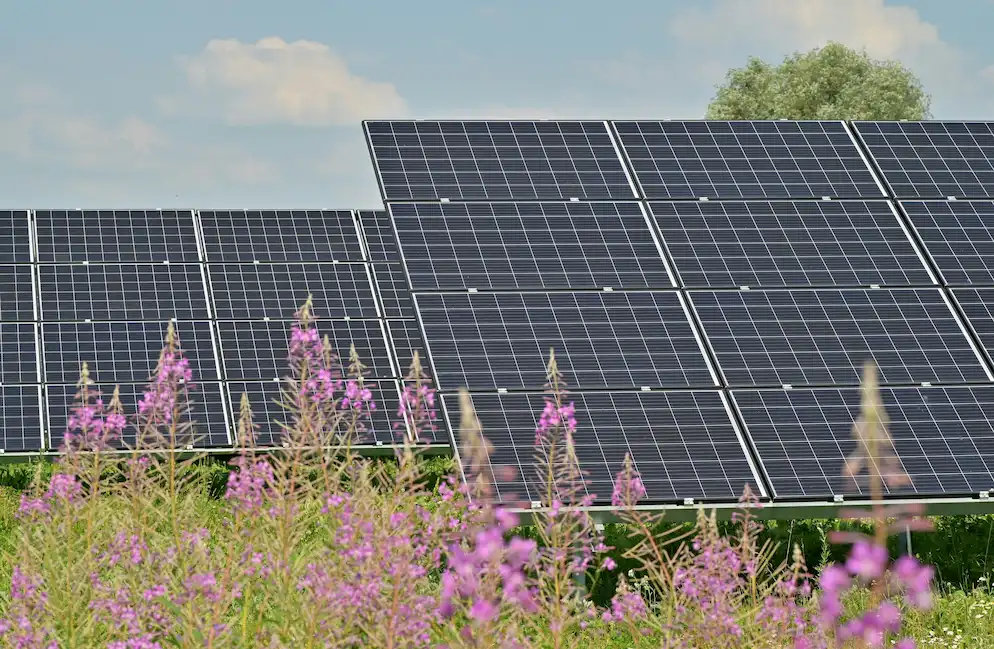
pixel 280 235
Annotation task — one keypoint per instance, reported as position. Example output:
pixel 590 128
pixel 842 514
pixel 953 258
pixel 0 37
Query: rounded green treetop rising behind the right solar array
pixel 831 82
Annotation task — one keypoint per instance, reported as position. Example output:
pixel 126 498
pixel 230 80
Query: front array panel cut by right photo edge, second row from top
pixel 959 236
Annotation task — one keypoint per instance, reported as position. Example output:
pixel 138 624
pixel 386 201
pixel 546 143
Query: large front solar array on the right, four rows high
pixel 711 299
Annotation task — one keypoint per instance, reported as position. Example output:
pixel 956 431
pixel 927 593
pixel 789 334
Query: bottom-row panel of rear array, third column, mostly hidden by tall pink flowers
pixel 268 414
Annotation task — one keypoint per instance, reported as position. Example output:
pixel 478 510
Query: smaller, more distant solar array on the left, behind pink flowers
pixel 101 287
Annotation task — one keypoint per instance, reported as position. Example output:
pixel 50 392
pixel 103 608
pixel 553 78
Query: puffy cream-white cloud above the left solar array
pixel 302 83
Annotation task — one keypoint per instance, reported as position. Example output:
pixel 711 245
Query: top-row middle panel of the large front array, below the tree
pixel 699 159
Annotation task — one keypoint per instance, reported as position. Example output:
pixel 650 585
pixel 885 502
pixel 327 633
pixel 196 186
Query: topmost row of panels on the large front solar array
pixel 560 160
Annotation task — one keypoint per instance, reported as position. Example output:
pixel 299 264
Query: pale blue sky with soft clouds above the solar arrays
pixel 225 103
